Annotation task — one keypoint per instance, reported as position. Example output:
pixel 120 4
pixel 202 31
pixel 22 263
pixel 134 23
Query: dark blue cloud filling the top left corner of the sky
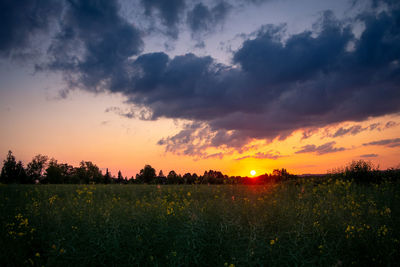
pixel 21 20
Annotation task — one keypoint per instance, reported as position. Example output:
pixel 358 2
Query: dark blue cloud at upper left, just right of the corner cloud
pixel 93 46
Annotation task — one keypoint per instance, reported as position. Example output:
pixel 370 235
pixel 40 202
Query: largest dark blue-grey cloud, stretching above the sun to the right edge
pixel 309 81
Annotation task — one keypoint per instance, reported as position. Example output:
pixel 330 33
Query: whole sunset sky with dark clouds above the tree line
pixel 190 86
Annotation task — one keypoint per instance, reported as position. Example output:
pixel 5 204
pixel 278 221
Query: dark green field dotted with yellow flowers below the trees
pixel 310 222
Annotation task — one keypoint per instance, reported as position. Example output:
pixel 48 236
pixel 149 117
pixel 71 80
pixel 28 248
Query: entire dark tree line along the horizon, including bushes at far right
pixel 42 170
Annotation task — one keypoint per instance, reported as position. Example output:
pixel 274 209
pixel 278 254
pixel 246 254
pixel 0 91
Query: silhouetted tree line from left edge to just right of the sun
pixel 43 170
